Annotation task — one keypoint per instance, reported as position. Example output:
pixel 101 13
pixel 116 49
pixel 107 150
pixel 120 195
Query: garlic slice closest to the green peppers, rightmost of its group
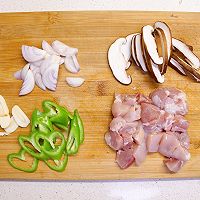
pixel 20 117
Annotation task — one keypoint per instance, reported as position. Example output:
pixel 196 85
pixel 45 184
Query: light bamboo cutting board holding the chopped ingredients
pixel 92 33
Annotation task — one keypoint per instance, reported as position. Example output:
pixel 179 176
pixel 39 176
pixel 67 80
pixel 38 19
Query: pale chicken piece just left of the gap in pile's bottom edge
pixel 139 153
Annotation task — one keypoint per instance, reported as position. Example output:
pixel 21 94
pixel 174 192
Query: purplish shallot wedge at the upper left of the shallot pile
pixel 32 54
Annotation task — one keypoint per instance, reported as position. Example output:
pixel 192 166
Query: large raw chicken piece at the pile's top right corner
pixel 171 100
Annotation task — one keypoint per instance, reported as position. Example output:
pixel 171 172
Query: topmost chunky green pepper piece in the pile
pixel 58 115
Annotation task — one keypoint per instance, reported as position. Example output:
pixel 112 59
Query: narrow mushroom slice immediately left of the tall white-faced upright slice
pixel 139 53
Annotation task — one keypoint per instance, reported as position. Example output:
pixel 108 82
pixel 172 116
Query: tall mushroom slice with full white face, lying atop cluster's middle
pixel 150 44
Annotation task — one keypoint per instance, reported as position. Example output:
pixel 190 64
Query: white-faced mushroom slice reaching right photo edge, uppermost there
pixel 186 53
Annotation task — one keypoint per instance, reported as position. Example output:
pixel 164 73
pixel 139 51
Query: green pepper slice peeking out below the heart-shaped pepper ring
pixel 60 165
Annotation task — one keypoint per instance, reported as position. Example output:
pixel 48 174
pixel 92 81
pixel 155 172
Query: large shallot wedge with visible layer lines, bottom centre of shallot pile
pixel 50 76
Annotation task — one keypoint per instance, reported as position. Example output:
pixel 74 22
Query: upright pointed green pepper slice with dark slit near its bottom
pixel 73 140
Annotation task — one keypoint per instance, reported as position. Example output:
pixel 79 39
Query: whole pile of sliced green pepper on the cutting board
pixel 47 144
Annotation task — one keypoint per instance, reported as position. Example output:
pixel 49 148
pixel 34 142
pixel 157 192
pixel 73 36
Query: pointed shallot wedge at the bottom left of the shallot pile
pixel 28 83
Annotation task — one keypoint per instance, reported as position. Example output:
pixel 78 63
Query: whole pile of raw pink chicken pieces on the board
pixel 144 124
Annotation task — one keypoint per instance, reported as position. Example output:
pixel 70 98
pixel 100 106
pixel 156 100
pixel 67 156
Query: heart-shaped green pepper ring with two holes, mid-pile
pixel 53 151
